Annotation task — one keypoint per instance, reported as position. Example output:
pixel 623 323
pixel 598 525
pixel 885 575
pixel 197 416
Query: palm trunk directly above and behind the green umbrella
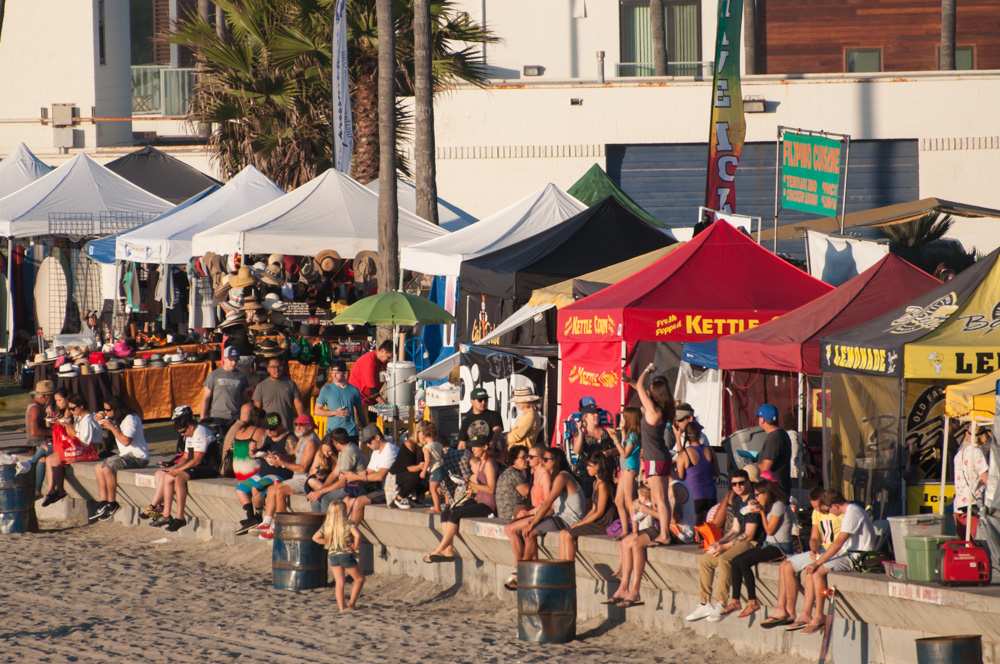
pixel 388 212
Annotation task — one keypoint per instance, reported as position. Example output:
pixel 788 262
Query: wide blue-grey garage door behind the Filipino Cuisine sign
pixel 668 180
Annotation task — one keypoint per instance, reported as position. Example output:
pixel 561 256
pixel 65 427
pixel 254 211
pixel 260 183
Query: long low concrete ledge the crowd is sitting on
pixel 877 620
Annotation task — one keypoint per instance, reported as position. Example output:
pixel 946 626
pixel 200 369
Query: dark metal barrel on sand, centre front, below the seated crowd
pixel 546 601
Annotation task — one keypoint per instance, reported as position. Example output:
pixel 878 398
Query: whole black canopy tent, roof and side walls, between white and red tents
pixel 495 285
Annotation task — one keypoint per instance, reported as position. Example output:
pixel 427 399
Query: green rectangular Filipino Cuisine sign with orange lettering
pixel 810 173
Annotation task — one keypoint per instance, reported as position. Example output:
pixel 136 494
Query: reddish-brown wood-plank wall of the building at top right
pixel 807 36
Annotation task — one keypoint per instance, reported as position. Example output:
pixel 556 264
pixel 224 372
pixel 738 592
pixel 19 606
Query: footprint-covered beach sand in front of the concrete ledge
pixel 109 593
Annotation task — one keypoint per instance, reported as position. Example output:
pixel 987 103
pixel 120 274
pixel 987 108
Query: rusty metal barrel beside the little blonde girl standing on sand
pixel 297 562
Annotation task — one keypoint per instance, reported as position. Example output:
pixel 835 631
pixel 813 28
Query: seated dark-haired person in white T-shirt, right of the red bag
pixel 133 452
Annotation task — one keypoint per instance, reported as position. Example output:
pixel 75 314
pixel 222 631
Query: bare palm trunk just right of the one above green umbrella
pixel 424 167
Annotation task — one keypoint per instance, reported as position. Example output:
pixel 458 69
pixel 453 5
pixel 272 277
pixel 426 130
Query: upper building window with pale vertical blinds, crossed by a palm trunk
pixel 683 27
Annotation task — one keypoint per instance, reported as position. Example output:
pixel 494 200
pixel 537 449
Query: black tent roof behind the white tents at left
pixel 161 174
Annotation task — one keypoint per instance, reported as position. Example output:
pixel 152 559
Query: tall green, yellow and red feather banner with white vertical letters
pixel 728 126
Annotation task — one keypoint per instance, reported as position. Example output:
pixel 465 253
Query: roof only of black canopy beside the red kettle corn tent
pixel 604 234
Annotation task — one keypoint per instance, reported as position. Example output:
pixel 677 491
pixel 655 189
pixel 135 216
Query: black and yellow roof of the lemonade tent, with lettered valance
pixel 955 317
